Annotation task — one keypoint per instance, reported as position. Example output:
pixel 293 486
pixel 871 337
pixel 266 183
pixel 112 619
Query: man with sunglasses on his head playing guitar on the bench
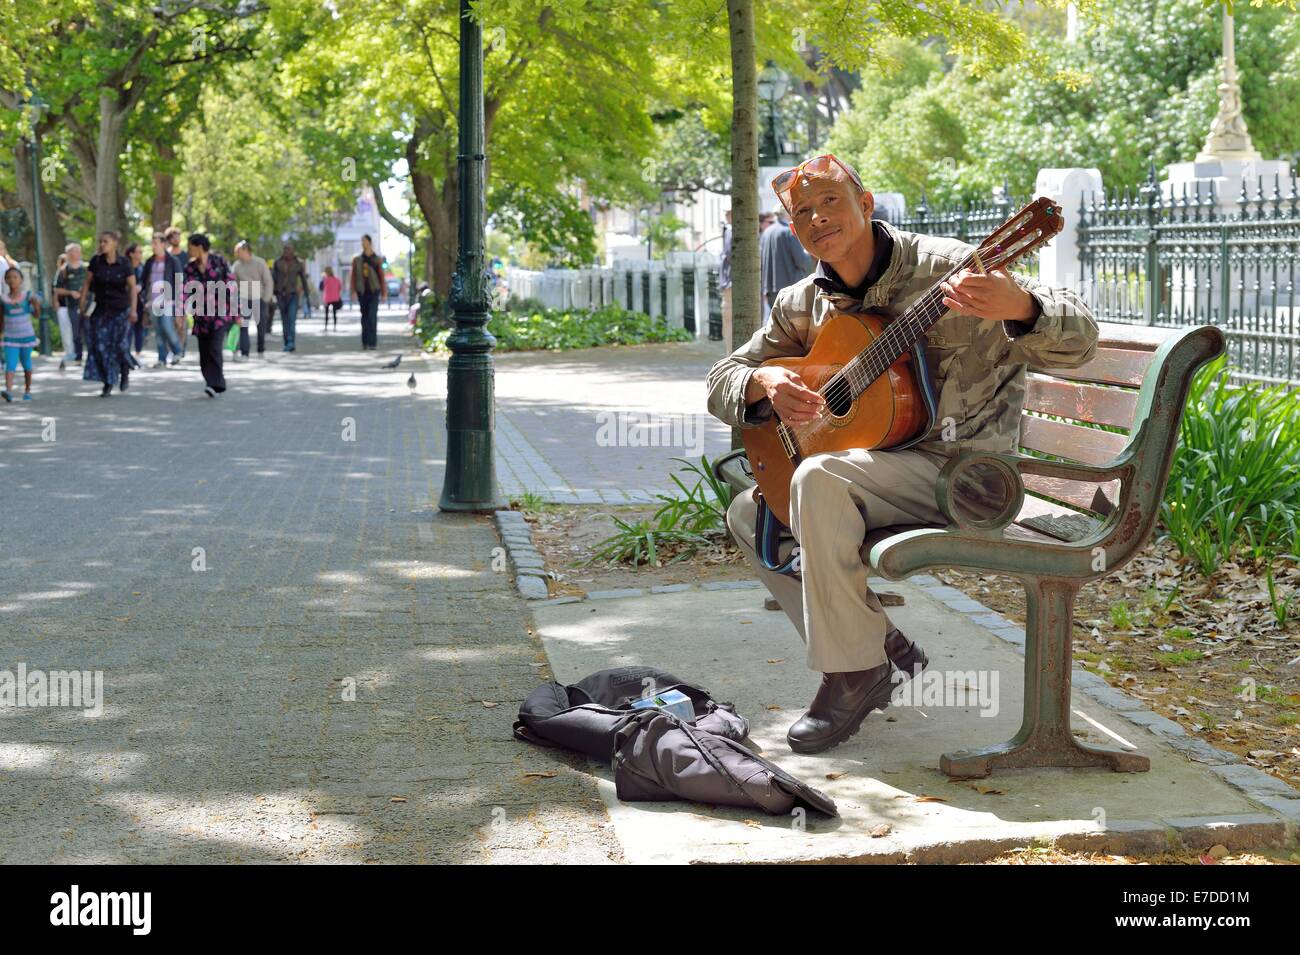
pixel 977 355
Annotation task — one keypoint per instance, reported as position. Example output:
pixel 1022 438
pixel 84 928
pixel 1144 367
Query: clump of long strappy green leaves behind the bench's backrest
pixel 1236 477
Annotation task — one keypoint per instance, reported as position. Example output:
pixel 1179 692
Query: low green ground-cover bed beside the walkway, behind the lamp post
pixel 561 331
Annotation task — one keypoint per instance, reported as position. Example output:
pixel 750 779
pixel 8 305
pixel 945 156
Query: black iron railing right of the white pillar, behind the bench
pixel 1150 258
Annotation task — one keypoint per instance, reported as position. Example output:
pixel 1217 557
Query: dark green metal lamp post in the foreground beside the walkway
pixel 471 471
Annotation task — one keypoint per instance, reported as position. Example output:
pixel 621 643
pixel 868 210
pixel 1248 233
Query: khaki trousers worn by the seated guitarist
pixel 835 501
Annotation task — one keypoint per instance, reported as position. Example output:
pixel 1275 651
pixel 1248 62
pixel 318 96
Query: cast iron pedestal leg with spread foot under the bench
pixel 1045 739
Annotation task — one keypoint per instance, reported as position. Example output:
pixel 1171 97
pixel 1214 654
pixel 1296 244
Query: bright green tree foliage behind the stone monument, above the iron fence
pixel 1138 85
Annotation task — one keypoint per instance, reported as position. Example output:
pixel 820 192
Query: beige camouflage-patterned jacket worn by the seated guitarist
pixel 978 367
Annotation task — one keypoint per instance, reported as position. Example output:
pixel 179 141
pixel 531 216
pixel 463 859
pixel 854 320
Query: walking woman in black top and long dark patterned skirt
pixel 111 279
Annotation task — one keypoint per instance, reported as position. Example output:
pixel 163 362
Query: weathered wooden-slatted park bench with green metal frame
pixel 1055 524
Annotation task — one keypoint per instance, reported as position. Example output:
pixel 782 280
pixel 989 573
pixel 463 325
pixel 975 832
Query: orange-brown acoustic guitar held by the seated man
pixel 870 370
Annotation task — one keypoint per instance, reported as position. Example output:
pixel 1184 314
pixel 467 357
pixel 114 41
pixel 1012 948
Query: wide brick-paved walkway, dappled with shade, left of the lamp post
pixel 227 731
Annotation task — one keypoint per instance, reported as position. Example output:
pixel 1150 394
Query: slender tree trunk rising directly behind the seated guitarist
pixel 747 299
